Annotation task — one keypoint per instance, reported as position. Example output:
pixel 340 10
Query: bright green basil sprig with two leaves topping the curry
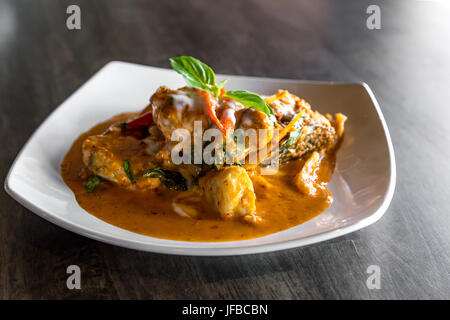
pixel 199 75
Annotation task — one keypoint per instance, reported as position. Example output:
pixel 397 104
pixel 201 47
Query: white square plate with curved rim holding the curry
pixel 363 183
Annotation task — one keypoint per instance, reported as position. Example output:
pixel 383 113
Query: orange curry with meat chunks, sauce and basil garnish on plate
pixel 201 163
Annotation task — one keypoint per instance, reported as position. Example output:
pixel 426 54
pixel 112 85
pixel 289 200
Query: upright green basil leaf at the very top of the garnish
pixel 196 73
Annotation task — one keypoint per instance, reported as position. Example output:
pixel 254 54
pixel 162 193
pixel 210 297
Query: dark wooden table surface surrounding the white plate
pixel 406 63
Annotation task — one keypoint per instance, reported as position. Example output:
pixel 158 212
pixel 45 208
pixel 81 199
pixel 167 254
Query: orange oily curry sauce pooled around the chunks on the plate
pixel 278 202
